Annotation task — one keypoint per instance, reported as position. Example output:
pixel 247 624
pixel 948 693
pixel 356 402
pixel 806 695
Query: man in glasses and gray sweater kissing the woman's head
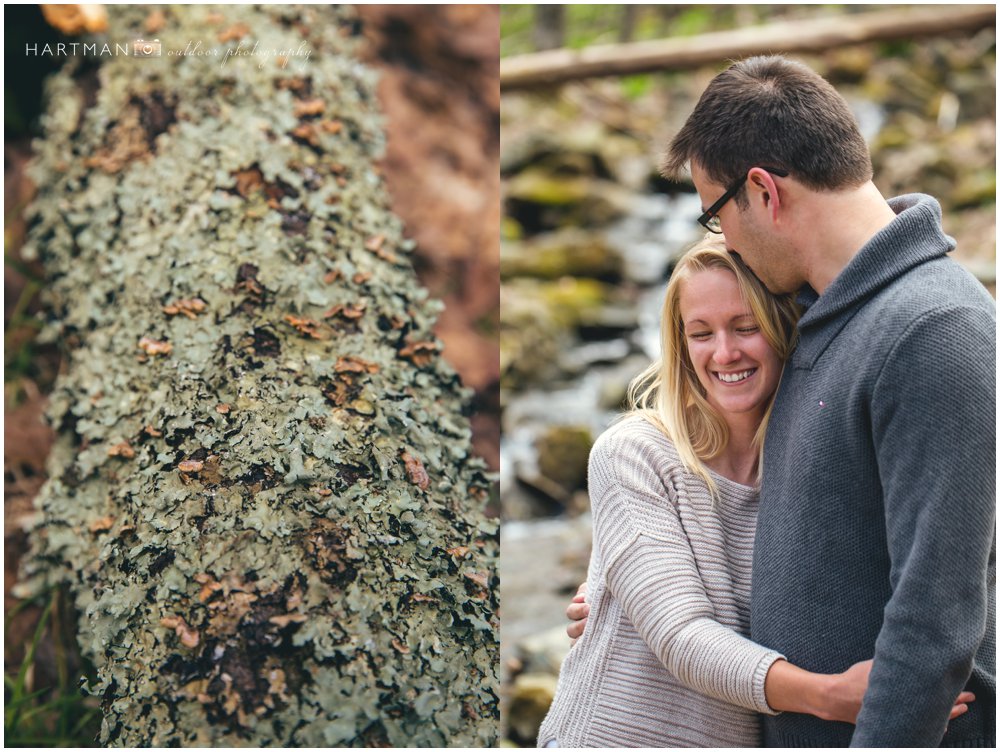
pixel 876 533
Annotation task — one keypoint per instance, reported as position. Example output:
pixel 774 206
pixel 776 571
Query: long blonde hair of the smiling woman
pixel 668 392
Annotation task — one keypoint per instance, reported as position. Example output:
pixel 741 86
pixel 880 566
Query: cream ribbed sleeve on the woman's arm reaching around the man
pixel 651 570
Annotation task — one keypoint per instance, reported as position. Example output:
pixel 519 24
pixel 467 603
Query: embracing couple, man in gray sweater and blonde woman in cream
pixel 834 584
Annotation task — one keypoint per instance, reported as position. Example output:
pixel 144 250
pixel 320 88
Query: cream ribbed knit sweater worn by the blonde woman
pixel 662 662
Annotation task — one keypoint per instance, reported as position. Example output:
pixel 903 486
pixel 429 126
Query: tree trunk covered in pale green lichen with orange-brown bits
pixel 262 495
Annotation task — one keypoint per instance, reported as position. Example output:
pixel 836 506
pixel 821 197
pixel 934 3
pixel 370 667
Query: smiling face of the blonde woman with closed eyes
pixel 737 368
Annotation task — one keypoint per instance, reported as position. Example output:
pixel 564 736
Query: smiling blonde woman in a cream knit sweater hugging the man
pixel 673 491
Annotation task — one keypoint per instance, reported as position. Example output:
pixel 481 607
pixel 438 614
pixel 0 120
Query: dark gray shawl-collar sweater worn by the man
pixel 876 534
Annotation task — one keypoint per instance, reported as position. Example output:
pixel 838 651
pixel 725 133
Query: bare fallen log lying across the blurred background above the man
pixel 558 66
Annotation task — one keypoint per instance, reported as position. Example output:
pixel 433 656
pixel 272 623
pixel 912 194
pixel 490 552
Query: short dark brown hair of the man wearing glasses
pixel 773 112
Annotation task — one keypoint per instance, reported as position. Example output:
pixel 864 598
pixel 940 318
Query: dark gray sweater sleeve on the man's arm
pixel 933 412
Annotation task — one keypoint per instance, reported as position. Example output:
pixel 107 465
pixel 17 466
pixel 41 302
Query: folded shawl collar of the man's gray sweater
pixel 912 238
